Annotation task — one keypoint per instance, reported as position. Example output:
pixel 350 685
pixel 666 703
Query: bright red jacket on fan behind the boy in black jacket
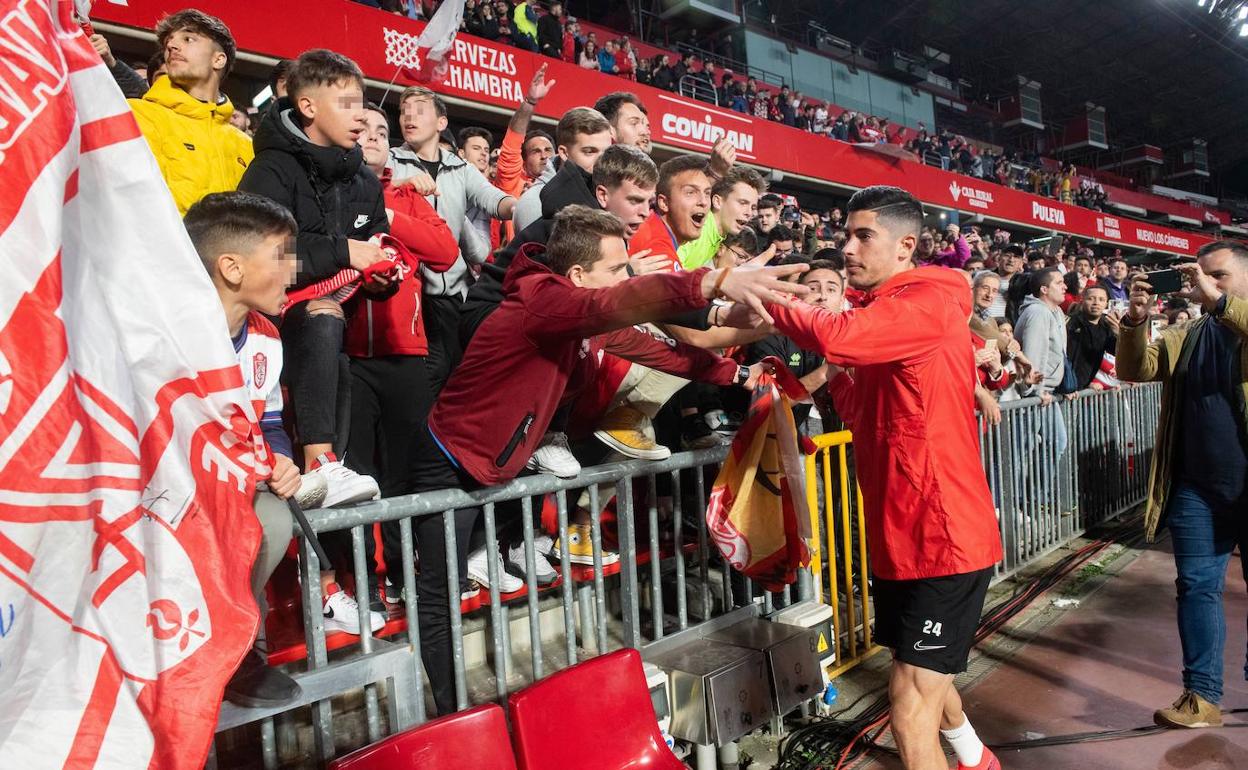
pixel 394 328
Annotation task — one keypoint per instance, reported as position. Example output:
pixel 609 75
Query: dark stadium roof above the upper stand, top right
pixel 1165 71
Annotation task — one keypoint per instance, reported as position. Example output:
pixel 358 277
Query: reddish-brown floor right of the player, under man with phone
pixel 1110 665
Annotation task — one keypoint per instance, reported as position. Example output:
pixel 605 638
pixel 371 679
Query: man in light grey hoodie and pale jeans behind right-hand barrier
pixel 1041 331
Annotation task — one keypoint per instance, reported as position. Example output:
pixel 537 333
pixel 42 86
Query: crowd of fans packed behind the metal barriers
pixel 461 309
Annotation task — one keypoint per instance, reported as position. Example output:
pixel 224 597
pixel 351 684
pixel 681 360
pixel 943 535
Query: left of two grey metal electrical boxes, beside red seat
pixel 719 692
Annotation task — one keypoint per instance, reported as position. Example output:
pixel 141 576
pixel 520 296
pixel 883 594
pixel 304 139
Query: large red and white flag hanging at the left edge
pixel 128 447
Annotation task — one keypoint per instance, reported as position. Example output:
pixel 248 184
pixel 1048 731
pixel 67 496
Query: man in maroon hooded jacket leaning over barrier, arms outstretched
pixel 496 406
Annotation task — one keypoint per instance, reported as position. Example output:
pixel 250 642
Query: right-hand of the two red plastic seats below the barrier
pixel 605 704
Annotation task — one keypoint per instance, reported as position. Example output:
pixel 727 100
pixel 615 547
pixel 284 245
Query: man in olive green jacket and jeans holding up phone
pixel 1199 482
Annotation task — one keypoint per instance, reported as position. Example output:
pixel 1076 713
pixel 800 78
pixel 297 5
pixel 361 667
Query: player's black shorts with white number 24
pixel 930 623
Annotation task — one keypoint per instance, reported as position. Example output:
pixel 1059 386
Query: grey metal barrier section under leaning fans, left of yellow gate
pixel 661 585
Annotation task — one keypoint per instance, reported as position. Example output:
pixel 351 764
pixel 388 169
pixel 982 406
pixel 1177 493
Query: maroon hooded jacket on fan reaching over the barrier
pixel 499 402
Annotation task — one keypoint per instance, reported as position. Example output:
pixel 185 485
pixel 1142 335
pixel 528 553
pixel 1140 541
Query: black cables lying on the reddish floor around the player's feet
pixel 836 744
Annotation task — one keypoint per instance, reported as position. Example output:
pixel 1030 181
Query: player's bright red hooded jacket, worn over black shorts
pixel 912 407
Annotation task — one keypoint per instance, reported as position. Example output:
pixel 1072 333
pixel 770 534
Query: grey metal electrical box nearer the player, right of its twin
pixel 792 658
